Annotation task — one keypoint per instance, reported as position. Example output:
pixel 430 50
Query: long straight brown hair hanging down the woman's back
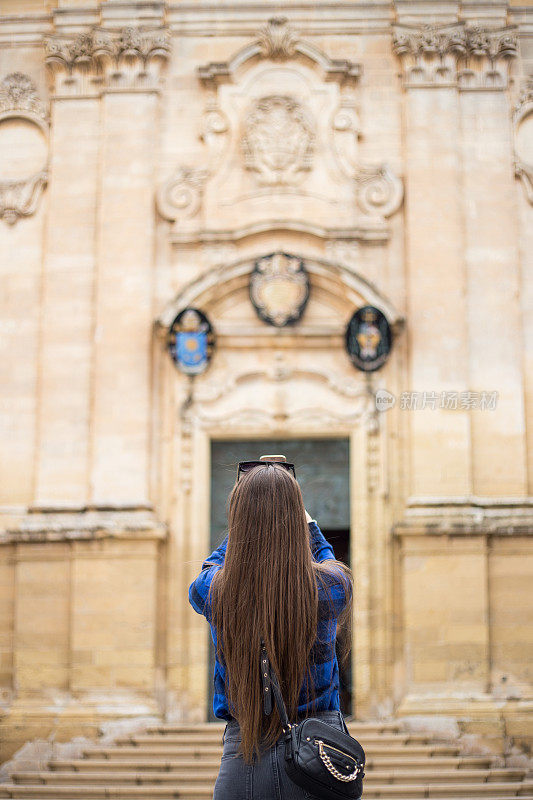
pixel 268 588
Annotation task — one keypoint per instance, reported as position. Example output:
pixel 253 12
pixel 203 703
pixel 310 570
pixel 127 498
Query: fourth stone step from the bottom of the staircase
pixel 200 749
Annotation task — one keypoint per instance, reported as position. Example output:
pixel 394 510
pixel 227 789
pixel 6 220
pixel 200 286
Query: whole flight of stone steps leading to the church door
pixel 182 761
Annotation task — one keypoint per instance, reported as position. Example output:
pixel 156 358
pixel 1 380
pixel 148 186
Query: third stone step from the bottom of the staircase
pixel 379 762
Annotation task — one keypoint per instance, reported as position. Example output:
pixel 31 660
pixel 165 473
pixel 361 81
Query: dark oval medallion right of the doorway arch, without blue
pixel 368 338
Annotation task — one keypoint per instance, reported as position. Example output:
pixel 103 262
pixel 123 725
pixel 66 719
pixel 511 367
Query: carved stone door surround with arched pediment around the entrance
pixel 200 415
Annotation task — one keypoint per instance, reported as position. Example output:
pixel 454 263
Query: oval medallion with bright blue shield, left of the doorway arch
pixel 191 341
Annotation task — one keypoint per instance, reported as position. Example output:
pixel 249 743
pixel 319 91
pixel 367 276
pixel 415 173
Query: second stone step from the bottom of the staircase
pixel 404 776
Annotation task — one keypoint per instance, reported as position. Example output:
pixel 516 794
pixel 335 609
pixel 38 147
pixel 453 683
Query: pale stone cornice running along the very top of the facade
pixel 209 18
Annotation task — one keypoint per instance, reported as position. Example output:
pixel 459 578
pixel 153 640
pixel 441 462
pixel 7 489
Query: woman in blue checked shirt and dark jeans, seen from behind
pixel 273 577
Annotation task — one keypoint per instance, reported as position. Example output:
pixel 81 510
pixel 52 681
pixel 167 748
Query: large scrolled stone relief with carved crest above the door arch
pixel 281 132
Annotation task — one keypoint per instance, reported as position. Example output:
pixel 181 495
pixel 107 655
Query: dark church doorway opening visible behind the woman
pixel 322 470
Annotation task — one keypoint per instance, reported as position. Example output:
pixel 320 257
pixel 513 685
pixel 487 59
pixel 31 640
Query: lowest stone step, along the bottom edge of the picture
pixel 205 792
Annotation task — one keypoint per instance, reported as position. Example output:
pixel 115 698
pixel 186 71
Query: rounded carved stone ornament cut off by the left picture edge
pixel 24 125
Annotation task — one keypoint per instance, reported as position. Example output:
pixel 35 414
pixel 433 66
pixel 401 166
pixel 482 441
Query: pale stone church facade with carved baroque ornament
pixel 153 154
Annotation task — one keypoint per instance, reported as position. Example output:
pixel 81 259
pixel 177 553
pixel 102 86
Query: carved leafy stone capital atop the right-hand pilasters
pixel 455 55
